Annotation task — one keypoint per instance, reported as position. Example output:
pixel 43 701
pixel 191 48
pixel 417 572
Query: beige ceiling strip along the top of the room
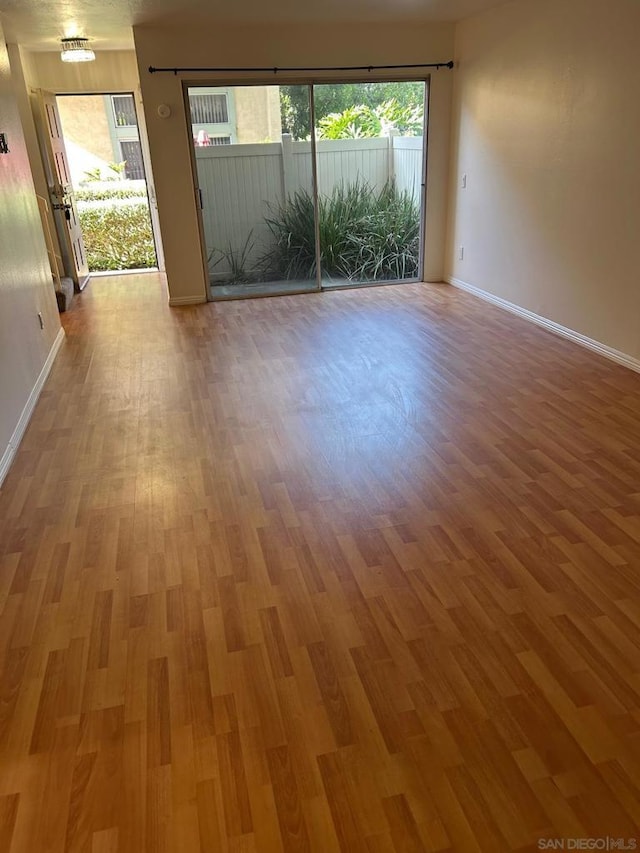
pixel 39 24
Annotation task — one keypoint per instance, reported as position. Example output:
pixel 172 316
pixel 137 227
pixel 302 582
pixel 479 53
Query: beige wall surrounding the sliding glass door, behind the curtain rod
pixel 269 45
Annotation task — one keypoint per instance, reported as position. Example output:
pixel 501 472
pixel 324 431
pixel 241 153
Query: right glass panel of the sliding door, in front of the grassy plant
pixel 370 160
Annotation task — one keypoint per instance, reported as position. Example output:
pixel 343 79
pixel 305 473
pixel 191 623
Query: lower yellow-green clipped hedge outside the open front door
pixel 117 236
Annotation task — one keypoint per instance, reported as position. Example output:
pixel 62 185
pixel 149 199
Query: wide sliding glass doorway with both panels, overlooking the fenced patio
pixel 309 187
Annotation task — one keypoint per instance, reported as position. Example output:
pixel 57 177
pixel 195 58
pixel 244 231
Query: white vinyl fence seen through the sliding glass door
pixel 243 184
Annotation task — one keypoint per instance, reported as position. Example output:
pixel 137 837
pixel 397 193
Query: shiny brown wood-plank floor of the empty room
pixel 356 571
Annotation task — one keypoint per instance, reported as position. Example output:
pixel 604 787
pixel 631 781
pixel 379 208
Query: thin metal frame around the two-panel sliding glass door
pixel 318 79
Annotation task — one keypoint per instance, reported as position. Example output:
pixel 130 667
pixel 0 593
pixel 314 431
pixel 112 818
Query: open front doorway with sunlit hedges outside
pixel 104 153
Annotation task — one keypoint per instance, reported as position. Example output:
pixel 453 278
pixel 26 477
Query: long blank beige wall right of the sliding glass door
pixel 546 127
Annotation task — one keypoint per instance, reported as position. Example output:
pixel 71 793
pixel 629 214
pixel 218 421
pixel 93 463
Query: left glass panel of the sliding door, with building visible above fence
pixel 255 176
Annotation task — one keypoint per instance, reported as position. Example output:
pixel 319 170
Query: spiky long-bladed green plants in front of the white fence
pixel 365 235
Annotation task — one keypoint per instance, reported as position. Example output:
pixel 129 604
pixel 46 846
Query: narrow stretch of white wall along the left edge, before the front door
pixel 26 286
